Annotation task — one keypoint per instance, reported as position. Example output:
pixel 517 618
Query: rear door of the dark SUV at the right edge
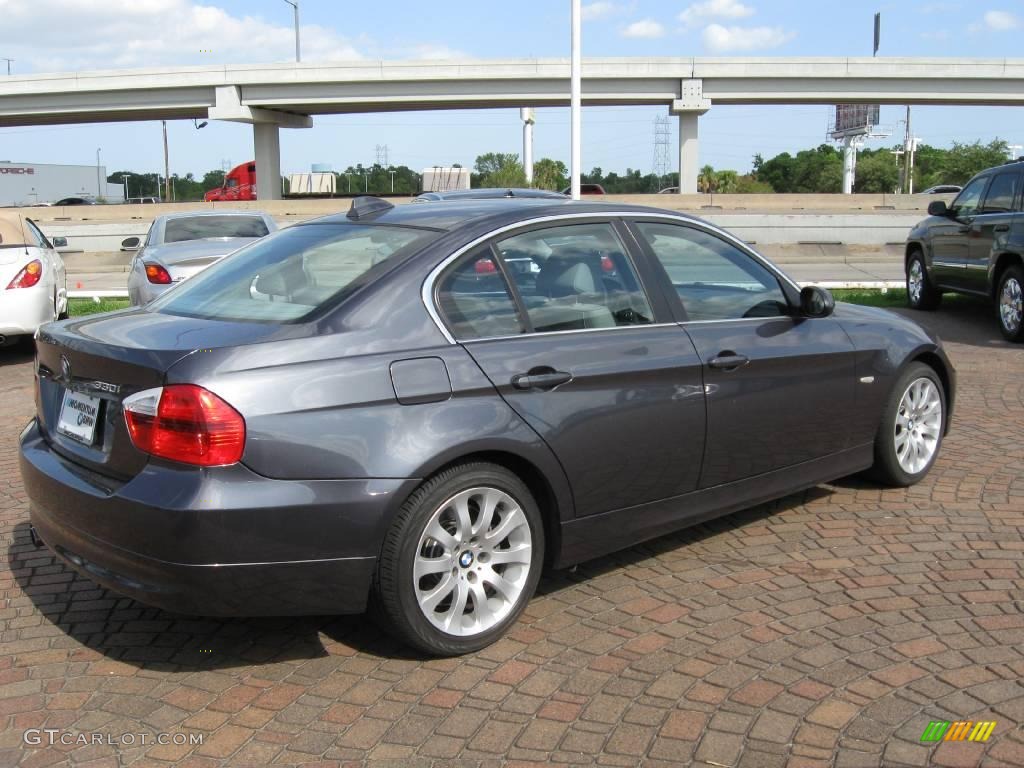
pixel 991 228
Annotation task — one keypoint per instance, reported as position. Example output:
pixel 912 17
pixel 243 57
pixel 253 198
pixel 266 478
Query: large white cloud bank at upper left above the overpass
pixel 69 35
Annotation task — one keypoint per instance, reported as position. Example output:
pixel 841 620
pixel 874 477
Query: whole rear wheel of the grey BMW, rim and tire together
pixel 461 561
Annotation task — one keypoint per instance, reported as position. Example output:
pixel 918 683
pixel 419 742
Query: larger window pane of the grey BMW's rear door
pixel 574 278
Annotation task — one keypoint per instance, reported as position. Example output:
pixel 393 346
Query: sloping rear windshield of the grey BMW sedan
pixel 291 275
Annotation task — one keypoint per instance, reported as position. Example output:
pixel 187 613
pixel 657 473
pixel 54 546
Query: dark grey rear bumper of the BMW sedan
pixel 217 542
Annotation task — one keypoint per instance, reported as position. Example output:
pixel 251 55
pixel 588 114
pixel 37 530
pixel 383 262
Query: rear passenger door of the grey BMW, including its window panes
pixel 561 322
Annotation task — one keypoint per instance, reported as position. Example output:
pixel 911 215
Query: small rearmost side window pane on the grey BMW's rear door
pixel 476 300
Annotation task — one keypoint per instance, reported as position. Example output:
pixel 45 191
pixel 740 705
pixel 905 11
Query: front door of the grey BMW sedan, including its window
pixel 780 388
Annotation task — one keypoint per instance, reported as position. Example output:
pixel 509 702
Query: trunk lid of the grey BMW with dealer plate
pixel 87 368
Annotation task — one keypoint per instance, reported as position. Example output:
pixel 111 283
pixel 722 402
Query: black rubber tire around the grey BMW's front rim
pixel 888 470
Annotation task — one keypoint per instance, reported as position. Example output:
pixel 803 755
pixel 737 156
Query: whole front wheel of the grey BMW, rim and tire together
pixel 912 429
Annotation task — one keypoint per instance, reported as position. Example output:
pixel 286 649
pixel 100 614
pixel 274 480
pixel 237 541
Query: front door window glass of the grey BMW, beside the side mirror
pixel 714 279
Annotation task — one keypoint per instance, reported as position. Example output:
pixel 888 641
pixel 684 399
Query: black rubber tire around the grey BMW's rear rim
pixel 396 605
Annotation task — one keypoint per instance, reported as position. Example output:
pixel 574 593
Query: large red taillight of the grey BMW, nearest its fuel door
pixel 186 423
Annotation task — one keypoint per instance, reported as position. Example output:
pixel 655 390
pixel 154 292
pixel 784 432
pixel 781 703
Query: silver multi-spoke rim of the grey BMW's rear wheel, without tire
pixel 473 562
